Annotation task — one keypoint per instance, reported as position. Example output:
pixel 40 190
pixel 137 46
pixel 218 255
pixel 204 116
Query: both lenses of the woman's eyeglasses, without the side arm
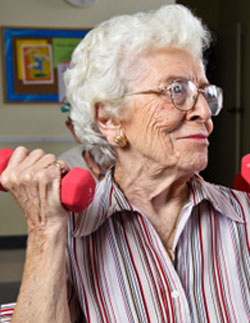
pixel 184 94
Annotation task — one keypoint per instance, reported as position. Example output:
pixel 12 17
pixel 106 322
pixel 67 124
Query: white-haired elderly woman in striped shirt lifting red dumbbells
pixel 158 243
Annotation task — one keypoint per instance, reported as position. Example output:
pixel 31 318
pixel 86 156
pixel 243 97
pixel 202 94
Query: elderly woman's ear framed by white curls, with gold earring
pixel 106 124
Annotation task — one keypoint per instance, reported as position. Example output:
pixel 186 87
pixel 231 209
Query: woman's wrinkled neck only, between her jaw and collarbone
pixel 151 182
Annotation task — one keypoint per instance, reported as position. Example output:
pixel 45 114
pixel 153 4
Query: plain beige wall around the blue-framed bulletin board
pixel 46 120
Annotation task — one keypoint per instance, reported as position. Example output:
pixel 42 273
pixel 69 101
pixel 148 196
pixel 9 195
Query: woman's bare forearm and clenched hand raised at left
pixel 34 182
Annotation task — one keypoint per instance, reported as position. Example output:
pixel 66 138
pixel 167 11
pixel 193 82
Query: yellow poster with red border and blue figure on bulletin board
pixel 37 64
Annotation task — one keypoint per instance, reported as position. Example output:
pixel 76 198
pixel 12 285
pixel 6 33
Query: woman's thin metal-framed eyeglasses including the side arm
pixel 184 94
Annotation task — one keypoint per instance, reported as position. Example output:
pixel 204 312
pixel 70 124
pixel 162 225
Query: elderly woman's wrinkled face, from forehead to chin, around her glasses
pixel 156 129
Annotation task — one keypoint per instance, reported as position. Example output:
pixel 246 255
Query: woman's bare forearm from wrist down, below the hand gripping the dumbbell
pixel 43 296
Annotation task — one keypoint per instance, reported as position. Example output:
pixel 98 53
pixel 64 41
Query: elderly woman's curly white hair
pixel 105 64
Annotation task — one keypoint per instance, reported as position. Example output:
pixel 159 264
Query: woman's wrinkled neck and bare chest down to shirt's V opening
pixel 159 193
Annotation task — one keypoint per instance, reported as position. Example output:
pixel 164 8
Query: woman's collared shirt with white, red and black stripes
pixel 119 270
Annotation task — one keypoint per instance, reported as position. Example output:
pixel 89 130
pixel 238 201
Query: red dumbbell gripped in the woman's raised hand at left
pixel 77 186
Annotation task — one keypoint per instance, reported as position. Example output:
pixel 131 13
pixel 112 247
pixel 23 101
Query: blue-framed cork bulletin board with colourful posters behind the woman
pixel 31 57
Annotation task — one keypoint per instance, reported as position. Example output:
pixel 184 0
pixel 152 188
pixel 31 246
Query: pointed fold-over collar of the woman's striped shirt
pixel 109 200
